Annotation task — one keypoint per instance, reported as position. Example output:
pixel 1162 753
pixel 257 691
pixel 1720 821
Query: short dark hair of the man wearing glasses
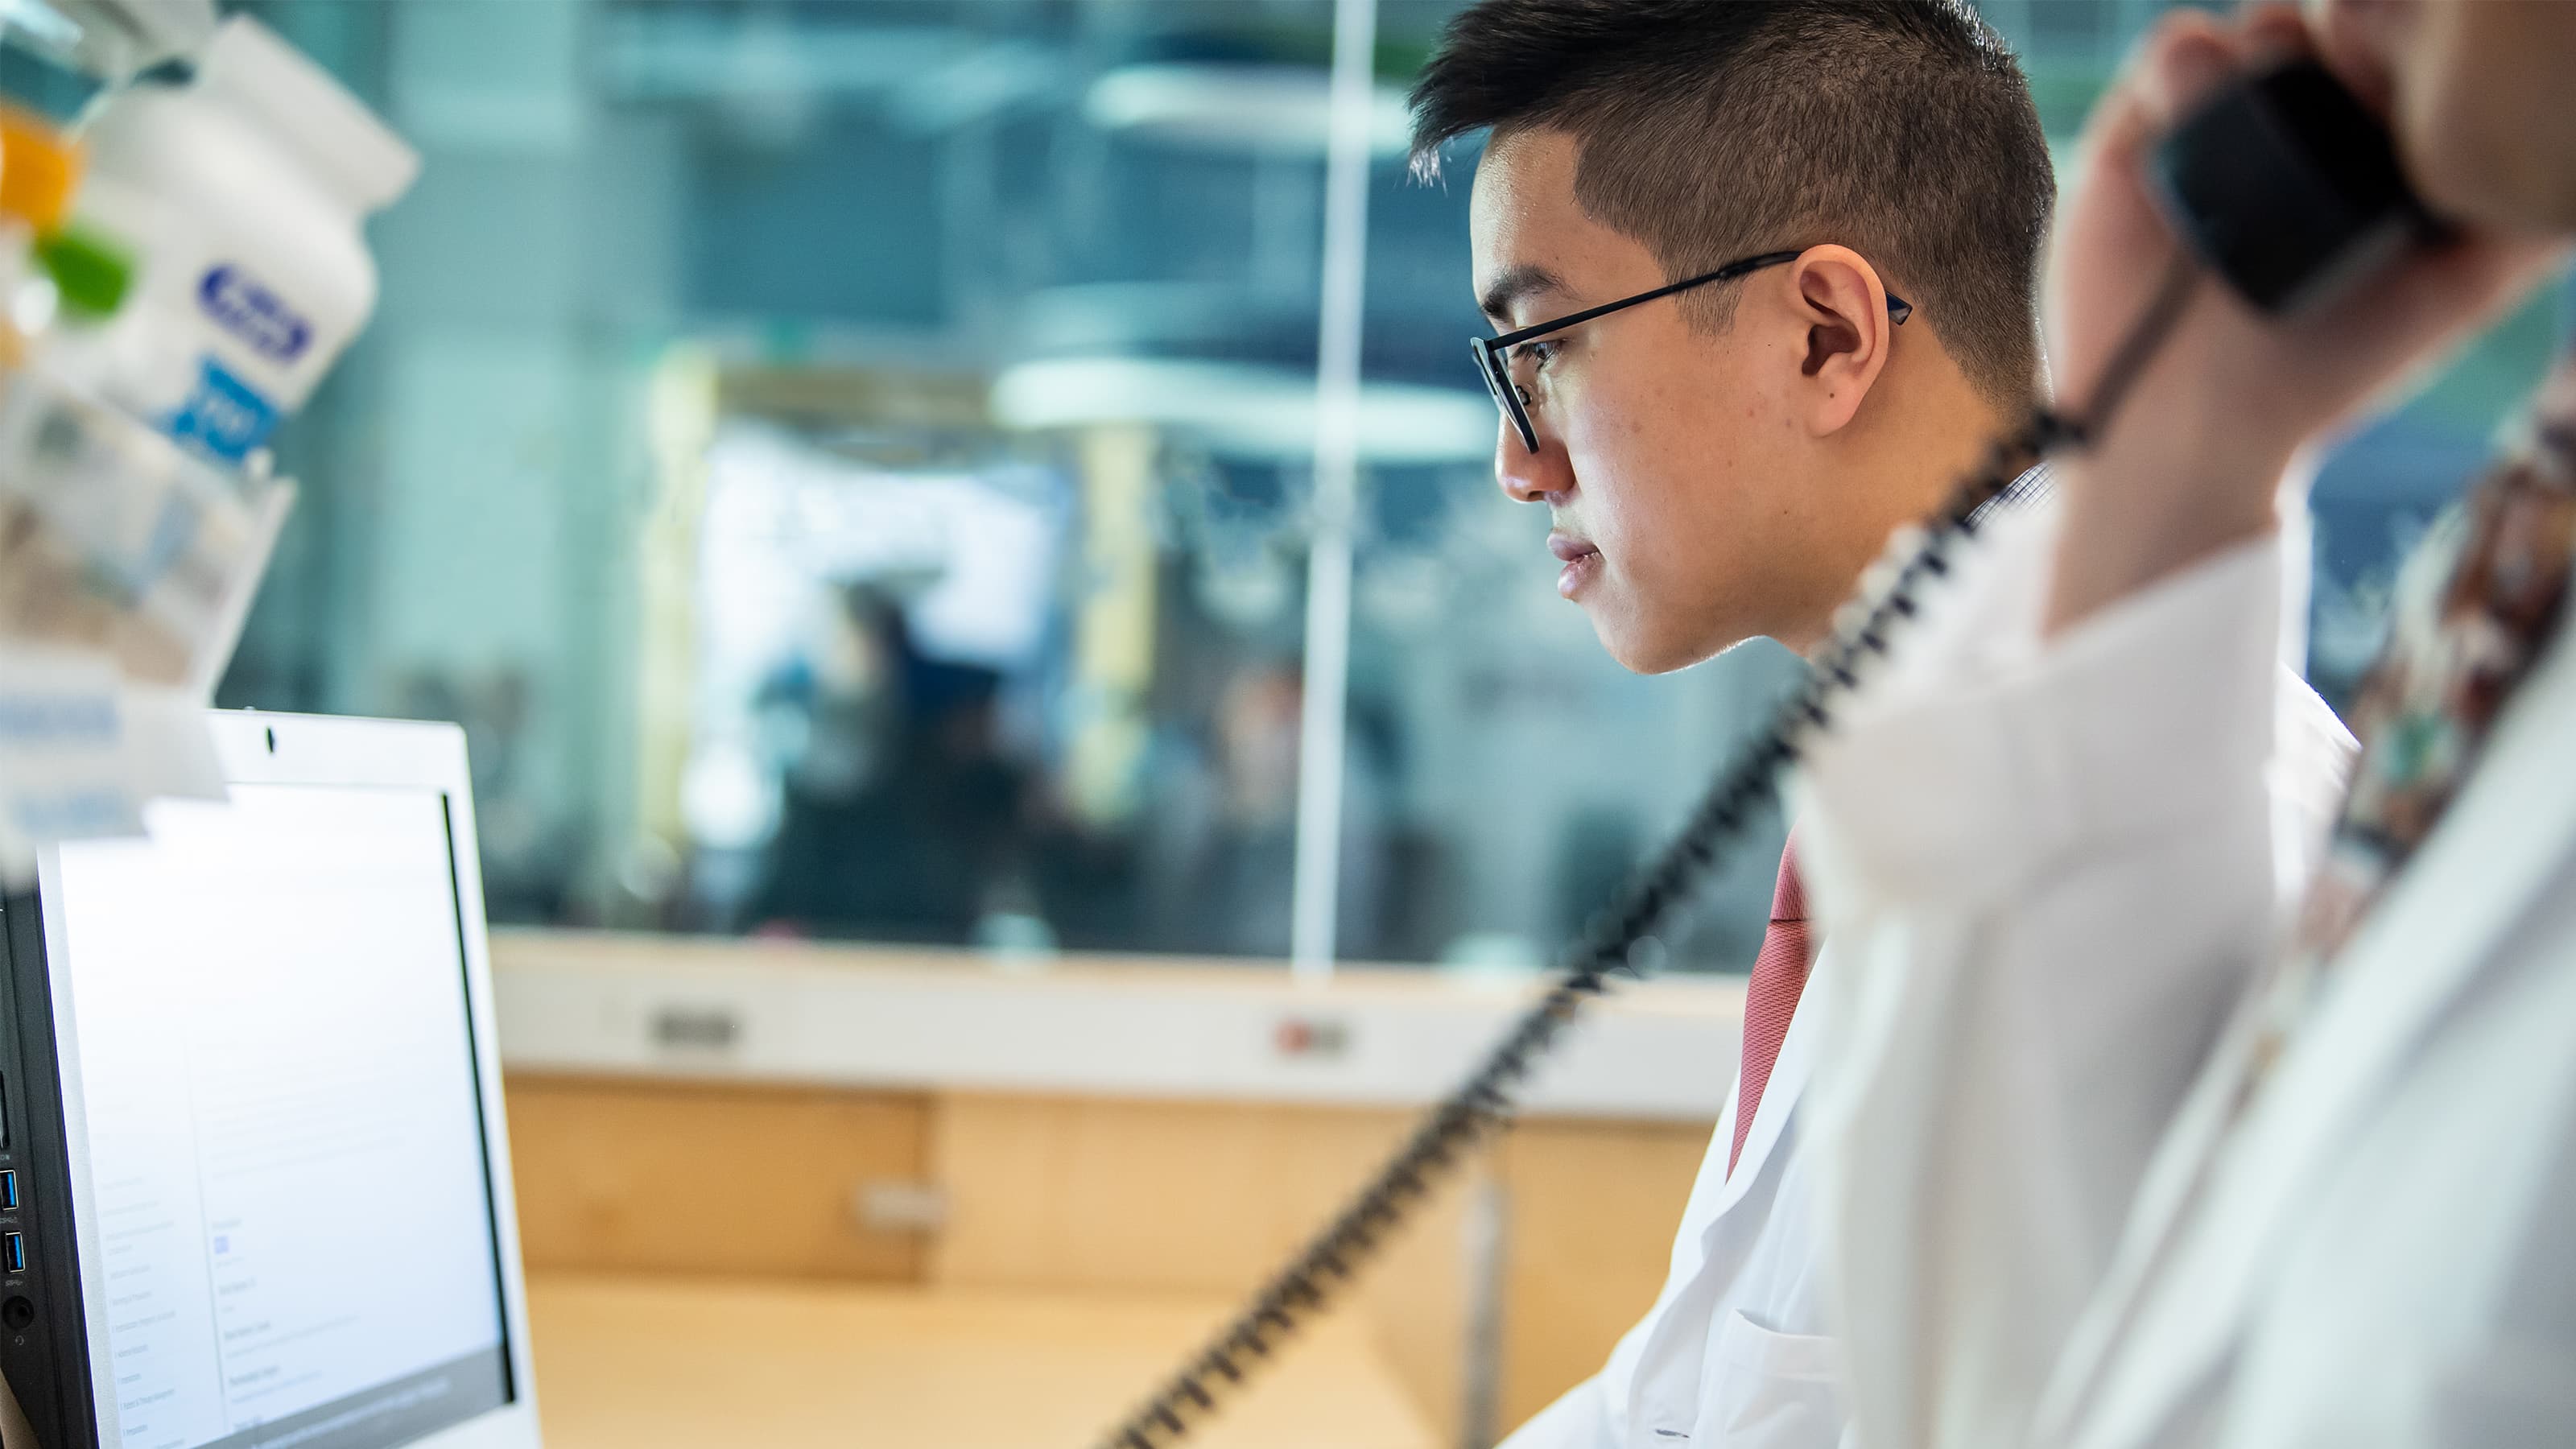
pixel 1714 130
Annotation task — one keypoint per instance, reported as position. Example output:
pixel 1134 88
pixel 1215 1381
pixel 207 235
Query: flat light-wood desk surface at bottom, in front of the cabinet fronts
pixel 764 1365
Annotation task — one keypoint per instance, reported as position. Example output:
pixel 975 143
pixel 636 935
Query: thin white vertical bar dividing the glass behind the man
pixel 1315 906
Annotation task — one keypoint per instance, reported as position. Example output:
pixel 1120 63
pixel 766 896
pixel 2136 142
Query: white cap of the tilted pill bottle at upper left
pixel 259 73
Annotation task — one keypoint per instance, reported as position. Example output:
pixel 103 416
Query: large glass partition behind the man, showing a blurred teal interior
pixel 854 473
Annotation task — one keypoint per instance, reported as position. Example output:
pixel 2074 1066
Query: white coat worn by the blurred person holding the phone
pixel 2041 1231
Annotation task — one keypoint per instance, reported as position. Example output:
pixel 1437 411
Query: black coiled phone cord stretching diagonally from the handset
pixel 1887 597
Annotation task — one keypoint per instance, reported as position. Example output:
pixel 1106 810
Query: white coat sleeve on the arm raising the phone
pixel 2047 870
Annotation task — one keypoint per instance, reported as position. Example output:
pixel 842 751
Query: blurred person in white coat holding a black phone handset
pixel 2080 1198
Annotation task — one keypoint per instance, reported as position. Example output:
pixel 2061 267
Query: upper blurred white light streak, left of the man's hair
pixel 1235 107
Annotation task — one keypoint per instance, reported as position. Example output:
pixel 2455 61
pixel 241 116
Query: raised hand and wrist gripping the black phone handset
pixel 2268 187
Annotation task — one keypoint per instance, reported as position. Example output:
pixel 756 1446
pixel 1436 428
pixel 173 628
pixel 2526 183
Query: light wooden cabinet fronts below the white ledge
pixel 1114 1198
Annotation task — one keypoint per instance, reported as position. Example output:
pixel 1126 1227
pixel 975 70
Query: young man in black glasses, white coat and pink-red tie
pixel 1763 285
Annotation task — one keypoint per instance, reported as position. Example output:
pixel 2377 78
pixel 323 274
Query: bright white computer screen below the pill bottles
pixel 290 1231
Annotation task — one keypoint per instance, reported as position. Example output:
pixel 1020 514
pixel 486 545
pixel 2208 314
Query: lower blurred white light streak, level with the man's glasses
pixel 1240 409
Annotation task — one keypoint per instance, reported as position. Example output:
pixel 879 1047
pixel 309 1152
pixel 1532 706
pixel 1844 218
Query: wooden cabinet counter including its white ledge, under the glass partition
pixel 1104 1125
